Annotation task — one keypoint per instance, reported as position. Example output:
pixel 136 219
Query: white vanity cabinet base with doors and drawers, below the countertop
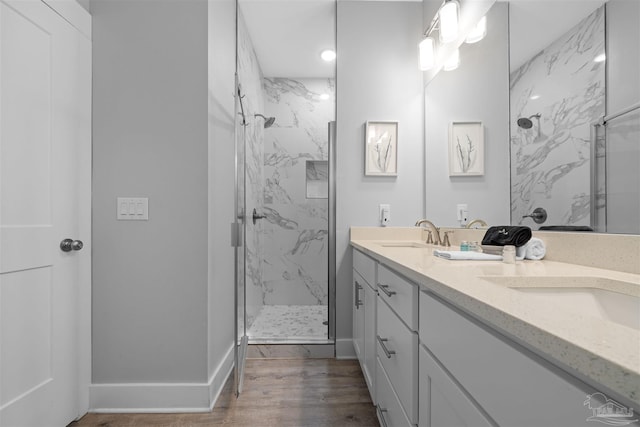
pixel 438 366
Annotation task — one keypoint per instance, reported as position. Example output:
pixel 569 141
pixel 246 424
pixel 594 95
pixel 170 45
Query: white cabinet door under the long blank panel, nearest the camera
pixel 442 402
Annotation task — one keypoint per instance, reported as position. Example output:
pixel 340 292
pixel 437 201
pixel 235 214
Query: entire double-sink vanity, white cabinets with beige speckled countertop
pixel 483 343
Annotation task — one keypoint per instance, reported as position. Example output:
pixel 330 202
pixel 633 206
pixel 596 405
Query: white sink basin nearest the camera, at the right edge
pixel 607 299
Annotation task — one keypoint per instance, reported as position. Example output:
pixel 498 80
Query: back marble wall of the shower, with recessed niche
pixel 295 243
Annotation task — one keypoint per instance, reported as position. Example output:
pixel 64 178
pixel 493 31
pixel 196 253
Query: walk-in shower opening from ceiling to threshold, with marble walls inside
pixel 289 100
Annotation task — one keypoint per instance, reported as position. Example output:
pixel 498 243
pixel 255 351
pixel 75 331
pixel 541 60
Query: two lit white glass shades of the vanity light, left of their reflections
pixel 446 23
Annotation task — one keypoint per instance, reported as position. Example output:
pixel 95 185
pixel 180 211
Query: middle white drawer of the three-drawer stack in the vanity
pixel 400 361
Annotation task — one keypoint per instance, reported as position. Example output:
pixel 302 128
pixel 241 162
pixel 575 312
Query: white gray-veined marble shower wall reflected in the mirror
pixel 550 161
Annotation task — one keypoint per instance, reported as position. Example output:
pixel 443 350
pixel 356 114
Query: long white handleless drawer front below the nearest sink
pixel 503 377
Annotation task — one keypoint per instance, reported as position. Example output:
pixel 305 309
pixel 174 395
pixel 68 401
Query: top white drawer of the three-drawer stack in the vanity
pixel 400 294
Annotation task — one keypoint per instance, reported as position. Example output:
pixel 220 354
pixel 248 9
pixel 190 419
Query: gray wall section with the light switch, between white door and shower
pixel 150 140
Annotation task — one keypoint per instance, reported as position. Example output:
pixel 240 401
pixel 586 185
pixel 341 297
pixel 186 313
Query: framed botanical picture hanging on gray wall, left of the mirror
pixel 381 148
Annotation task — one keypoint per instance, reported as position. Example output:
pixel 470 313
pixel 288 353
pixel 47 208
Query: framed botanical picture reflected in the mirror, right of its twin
pixel 466 149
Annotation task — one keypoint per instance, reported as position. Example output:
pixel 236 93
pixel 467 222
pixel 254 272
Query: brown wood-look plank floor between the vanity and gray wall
pixel 277 392
